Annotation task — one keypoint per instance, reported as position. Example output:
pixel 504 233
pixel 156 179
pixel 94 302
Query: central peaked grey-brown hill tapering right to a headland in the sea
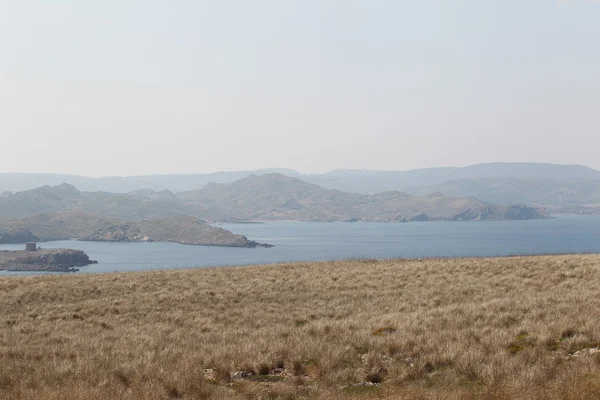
pixel 278 197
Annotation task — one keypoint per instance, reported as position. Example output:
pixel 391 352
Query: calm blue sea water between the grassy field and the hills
pixel 297 241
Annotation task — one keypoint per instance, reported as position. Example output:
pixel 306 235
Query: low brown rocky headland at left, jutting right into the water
pixel 90 227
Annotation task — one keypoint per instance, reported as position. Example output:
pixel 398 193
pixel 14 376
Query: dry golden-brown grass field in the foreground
pixel 505 328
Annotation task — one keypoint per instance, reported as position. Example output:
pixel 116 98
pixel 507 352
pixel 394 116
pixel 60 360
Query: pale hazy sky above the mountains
pixel 117 87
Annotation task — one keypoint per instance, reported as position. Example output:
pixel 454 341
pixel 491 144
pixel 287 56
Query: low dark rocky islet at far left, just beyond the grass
pixel 51 260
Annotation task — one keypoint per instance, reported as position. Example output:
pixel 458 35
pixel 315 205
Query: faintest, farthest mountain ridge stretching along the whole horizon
pixel 354 181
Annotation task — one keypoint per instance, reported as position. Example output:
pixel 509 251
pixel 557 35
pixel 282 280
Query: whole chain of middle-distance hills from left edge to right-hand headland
pixel 259 197
